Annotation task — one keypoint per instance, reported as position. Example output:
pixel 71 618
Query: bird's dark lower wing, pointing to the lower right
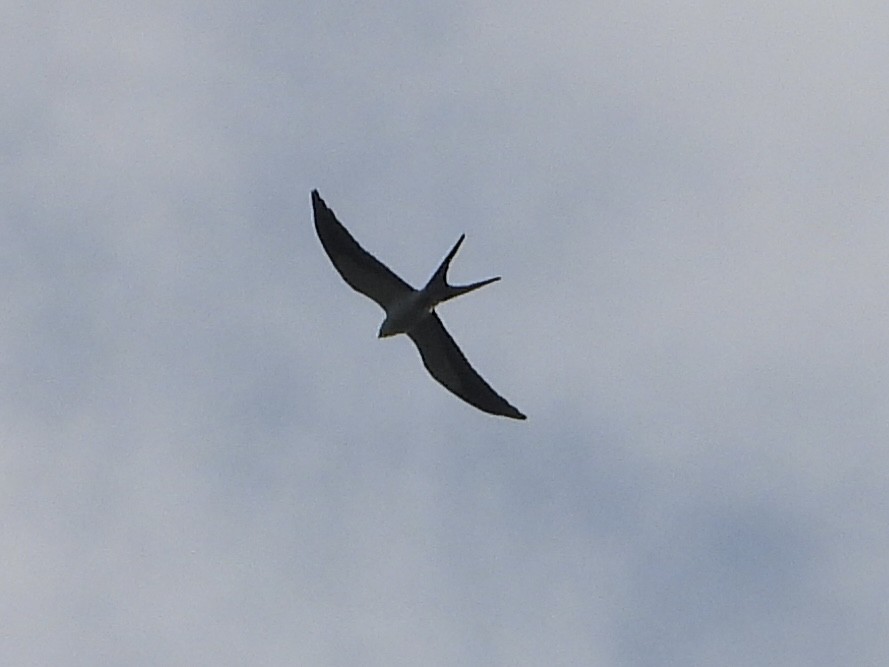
pixel 444 360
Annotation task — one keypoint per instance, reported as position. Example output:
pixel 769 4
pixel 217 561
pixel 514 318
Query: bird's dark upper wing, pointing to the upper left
pixel 364 272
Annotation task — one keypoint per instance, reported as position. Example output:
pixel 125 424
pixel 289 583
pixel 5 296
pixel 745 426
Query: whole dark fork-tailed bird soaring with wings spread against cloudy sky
pixel 411 311
